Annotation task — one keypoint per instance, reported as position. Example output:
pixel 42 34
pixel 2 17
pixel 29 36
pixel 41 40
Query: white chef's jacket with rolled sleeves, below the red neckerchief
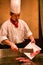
pixel 15 35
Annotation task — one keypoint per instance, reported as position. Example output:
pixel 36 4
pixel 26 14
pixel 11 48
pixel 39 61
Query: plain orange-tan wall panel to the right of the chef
pixel 29 13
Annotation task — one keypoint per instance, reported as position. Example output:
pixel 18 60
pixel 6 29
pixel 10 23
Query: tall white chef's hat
pixel 15 6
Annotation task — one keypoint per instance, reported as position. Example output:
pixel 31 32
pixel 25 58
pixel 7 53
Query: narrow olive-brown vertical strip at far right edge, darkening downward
pixel 41 24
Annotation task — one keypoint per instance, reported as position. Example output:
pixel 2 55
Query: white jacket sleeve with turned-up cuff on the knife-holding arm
pixel 3 33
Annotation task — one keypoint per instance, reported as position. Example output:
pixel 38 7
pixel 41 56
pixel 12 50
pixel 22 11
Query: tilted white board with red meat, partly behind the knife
pixel 35 48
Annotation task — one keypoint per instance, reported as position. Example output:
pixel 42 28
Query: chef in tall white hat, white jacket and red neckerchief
pixel 14 31
